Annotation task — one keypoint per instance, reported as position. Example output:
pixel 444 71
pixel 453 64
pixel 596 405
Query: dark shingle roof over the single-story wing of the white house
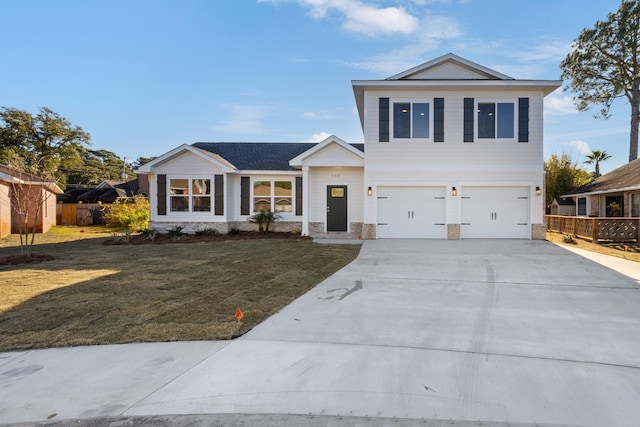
pixel 260 155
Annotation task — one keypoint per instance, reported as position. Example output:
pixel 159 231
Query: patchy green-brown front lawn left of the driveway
pixel 105 294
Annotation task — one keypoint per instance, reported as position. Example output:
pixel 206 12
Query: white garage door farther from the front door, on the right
pixel 495 212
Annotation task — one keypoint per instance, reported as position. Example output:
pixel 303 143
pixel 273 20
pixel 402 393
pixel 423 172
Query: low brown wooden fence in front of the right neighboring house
pixel 595 229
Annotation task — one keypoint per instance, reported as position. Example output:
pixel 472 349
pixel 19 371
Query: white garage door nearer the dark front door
pixel 411 212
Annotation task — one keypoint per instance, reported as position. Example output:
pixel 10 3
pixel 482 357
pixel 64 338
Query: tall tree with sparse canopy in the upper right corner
pixel 605 65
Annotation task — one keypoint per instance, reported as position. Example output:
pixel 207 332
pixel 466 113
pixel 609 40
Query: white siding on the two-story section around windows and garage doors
pixel 454 162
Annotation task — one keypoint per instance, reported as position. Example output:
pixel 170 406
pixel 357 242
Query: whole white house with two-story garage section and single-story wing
pixel 451 150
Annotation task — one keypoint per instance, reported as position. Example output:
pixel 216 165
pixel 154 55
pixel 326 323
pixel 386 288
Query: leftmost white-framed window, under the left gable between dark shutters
pixel 190 195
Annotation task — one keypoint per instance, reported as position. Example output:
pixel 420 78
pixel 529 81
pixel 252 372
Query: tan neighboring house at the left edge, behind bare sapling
pixel 19 190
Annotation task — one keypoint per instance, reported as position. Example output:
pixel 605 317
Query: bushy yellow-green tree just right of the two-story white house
pixel 561 176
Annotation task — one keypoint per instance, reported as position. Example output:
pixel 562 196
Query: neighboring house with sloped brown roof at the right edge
pixel 615 194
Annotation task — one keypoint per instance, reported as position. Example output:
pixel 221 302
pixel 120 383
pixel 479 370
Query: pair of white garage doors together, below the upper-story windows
pixel 483 212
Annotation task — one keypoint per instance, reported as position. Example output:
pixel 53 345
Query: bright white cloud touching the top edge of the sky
pixel 361 17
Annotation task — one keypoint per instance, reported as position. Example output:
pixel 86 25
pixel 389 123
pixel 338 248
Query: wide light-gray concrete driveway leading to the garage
pixel 412 332
